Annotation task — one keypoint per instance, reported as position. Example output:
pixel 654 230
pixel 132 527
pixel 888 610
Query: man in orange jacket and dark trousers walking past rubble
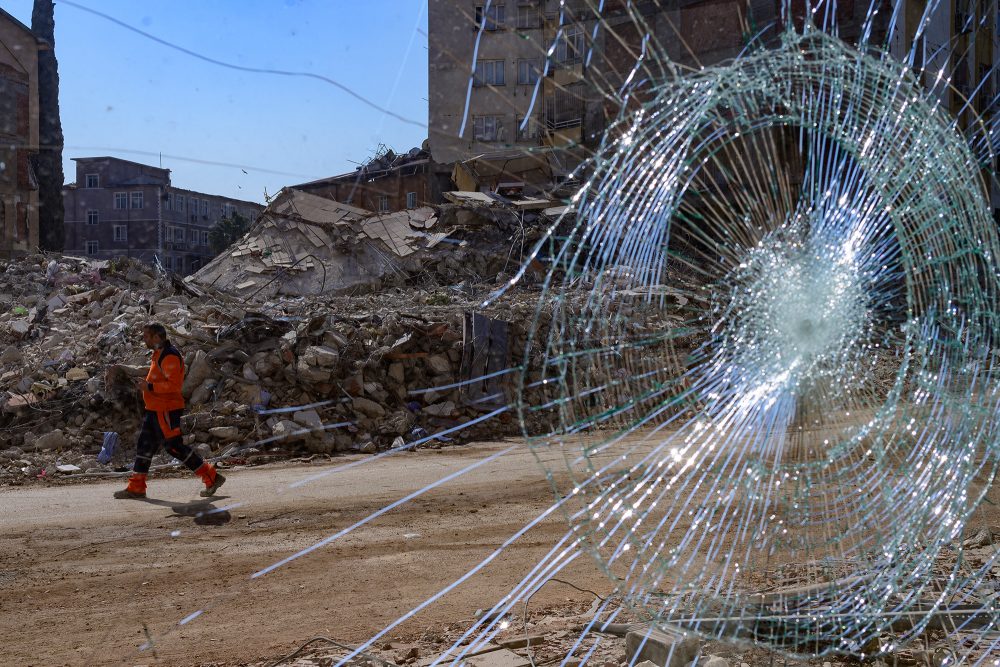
pixel 161 423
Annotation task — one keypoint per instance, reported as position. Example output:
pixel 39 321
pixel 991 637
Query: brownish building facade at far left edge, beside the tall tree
pixel 18 135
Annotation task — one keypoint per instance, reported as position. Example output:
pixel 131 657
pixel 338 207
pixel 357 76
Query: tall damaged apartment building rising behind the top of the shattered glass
pixel 545 73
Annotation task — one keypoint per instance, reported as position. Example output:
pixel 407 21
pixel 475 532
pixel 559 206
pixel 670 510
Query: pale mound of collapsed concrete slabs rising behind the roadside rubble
pixel 305 244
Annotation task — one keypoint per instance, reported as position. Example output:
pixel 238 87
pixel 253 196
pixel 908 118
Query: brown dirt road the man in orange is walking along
pixel 85 579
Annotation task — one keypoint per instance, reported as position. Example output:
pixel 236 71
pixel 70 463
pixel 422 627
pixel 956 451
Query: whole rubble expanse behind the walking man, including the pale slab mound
pixel 291 352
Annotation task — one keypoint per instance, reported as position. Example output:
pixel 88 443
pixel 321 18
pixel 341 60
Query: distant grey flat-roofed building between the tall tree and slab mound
pixel 122 208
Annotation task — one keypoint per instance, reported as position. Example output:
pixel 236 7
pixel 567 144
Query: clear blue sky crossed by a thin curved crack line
pixel 124 94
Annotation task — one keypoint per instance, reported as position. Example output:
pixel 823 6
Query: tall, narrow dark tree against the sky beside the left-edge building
pixel 48 165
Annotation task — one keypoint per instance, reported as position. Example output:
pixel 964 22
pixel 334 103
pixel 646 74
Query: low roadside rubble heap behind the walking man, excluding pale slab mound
pixel 273 378
